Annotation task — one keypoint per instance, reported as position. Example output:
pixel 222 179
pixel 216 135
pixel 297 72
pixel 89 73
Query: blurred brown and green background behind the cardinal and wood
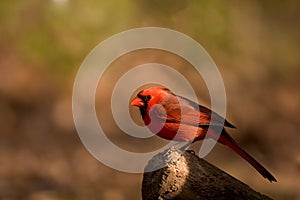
pixel 255 45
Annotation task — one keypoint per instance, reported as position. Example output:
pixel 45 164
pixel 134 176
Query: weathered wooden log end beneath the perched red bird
pixel 186 176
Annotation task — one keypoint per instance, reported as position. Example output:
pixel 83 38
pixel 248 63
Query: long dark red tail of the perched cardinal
pixel 226 139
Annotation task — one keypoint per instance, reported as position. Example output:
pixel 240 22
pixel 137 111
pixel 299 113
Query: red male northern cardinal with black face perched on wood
pixel 177 118
